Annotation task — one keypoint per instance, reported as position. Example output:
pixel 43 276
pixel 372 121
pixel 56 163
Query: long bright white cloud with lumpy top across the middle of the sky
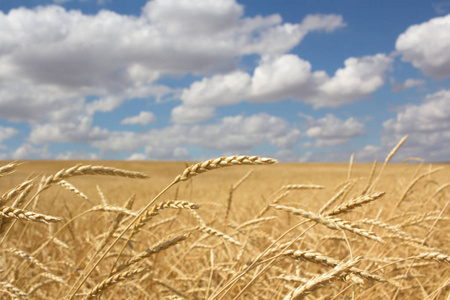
pixel 282 77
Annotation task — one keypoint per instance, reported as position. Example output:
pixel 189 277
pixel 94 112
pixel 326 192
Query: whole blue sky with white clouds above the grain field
pixel 299 81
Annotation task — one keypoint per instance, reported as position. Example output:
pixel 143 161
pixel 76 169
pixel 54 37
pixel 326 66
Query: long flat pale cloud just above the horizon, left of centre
pixel 236 134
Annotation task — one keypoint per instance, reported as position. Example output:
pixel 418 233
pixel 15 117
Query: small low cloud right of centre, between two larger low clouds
pixel 331 131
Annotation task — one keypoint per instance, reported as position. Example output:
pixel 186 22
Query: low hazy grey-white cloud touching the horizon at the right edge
pixel 428 126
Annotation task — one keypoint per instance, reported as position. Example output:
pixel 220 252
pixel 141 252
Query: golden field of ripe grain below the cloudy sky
pixel 232 228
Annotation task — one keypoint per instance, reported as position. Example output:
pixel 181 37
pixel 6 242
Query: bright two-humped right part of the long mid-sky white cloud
pixel 289 76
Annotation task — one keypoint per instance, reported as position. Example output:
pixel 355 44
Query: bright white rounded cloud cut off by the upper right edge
pixel 427 46
